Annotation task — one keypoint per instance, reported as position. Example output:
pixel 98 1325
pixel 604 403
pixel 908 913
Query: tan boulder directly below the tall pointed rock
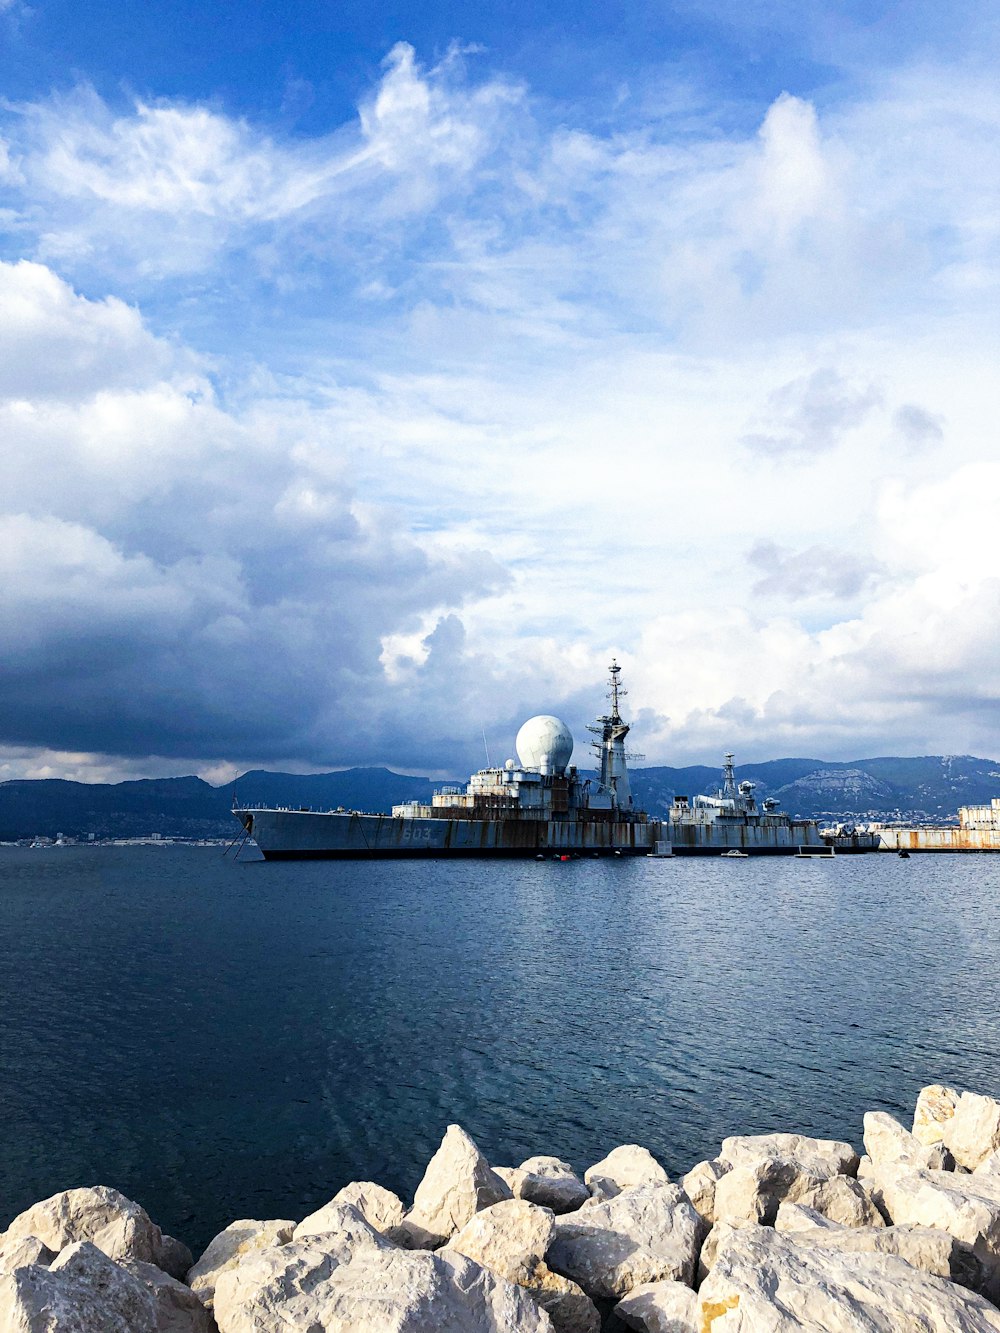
pixel 511 1239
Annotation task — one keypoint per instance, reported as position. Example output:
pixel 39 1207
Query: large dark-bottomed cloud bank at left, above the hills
pixel 179 579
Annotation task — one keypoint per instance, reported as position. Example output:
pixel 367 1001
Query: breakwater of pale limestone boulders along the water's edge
pixel 777 1234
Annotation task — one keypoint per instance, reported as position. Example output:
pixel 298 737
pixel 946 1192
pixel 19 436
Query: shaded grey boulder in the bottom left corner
pixel 82 1291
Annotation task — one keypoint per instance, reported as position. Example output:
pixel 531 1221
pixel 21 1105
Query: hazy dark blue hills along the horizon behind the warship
pixel 923 790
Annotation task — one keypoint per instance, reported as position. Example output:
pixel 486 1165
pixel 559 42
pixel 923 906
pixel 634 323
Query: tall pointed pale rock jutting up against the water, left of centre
pixel 458 1183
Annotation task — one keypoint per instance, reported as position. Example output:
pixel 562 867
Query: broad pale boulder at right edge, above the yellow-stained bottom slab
pixel 966 1207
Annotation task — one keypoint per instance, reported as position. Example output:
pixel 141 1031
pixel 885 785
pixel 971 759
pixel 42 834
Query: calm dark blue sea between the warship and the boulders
pixel 229 1040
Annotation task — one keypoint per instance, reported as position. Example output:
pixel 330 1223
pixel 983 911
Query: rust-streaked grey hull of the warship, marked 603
pixel 310 835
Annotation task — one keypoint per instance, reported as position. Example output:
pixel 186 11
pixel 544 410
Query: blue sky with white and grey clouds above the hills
pixel 371 375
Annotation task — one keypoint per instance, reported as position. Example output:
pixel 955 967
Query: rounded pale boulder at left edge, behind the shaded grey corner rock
pixel 99 1215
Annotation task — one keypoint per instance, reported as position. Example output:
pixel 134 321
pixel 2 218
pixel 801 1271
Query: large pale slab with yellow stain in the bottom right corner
pixel 766 1283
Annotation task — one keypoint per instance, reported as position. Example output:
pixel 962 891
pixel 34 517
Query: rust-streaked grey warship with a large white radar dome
pixel 541 806
